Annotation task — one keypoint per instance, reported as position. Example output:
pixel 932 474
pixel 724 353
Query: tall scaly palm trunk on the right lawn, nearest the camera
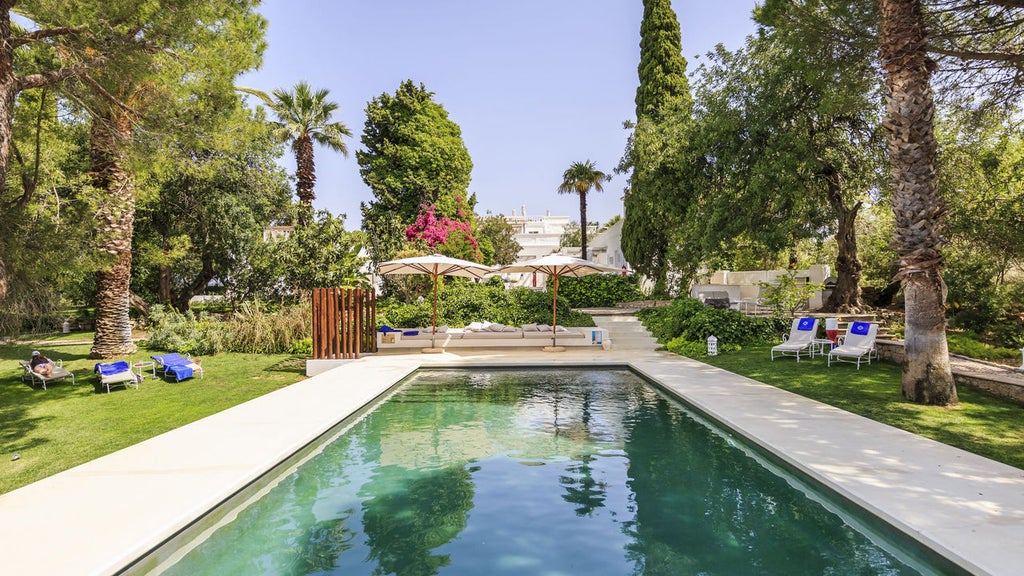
pixel 917 203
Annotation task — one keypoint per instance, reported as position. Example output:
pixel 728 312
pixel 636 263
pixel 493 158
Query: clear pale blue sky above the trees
pixel 535 85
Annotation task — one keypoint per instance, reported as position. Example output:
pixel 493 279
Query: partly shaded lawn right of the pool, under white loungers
pixel 984 425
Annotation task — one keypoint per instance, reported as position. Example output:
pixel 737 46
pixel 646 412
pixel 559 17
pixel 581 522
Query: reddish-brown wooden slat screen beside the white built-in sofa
pixel 345 323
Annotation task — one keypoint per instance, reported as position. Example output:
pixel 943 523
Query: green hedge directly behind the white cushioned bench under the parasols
pixel 460 303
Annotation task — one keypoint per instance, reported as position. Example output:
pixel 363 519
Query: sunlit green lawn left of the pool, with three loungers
pixel 66 426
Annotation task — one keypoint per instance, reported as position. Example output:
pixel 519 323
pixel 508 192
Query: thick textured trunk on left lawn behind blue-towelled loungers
pixel 115 221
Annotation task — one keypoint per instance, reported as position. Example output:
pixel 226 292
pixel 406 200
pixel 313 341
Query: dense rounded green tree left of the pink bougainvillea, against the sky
pixel 414 157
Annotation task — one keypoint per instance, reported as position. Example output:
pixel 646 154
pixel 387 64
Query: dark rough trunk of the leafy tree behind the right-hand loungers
pixel 846 296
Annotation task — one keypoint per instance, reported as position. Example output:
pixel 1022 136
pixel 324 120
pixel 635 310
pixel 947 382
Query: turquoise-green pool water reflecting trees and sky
pixel 575 472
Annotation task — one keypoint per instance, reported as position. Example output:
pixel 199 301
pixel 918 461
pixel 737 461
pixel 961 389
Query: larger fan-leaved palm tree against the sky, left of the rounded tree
pixel 305 117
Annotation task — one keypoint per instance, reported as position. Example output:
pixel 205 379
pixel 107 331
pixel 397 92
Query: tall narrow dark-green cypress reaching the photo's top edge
pixel 664 94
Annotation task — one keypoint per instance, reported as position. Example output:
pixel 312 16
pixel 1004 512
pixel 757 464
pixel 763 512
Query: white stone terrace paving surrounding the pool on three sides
pixel 98 518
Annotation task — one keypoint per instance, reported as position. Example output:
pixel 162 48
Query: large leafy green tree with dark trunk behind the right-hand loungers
pixel 795 145
